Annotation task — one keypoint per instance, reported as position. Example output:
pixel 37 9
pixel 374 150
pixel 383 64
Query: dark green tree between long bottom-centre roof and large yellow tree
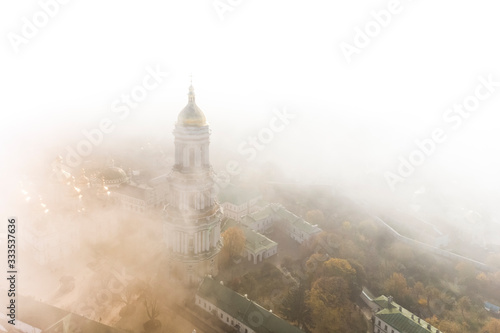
pixel 294 306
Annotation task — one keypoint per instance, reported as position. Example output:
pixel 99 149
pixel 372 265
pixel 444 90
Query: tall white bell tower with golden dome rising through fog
pixel 192 217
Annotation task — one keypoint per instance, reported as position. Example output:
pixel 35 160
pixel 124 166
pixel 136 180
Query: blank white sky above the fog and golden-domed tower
pixel 351 118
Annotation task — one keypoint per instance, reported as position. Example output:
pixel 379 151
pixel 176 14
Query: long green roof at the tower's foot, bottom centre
pixel 242 309
